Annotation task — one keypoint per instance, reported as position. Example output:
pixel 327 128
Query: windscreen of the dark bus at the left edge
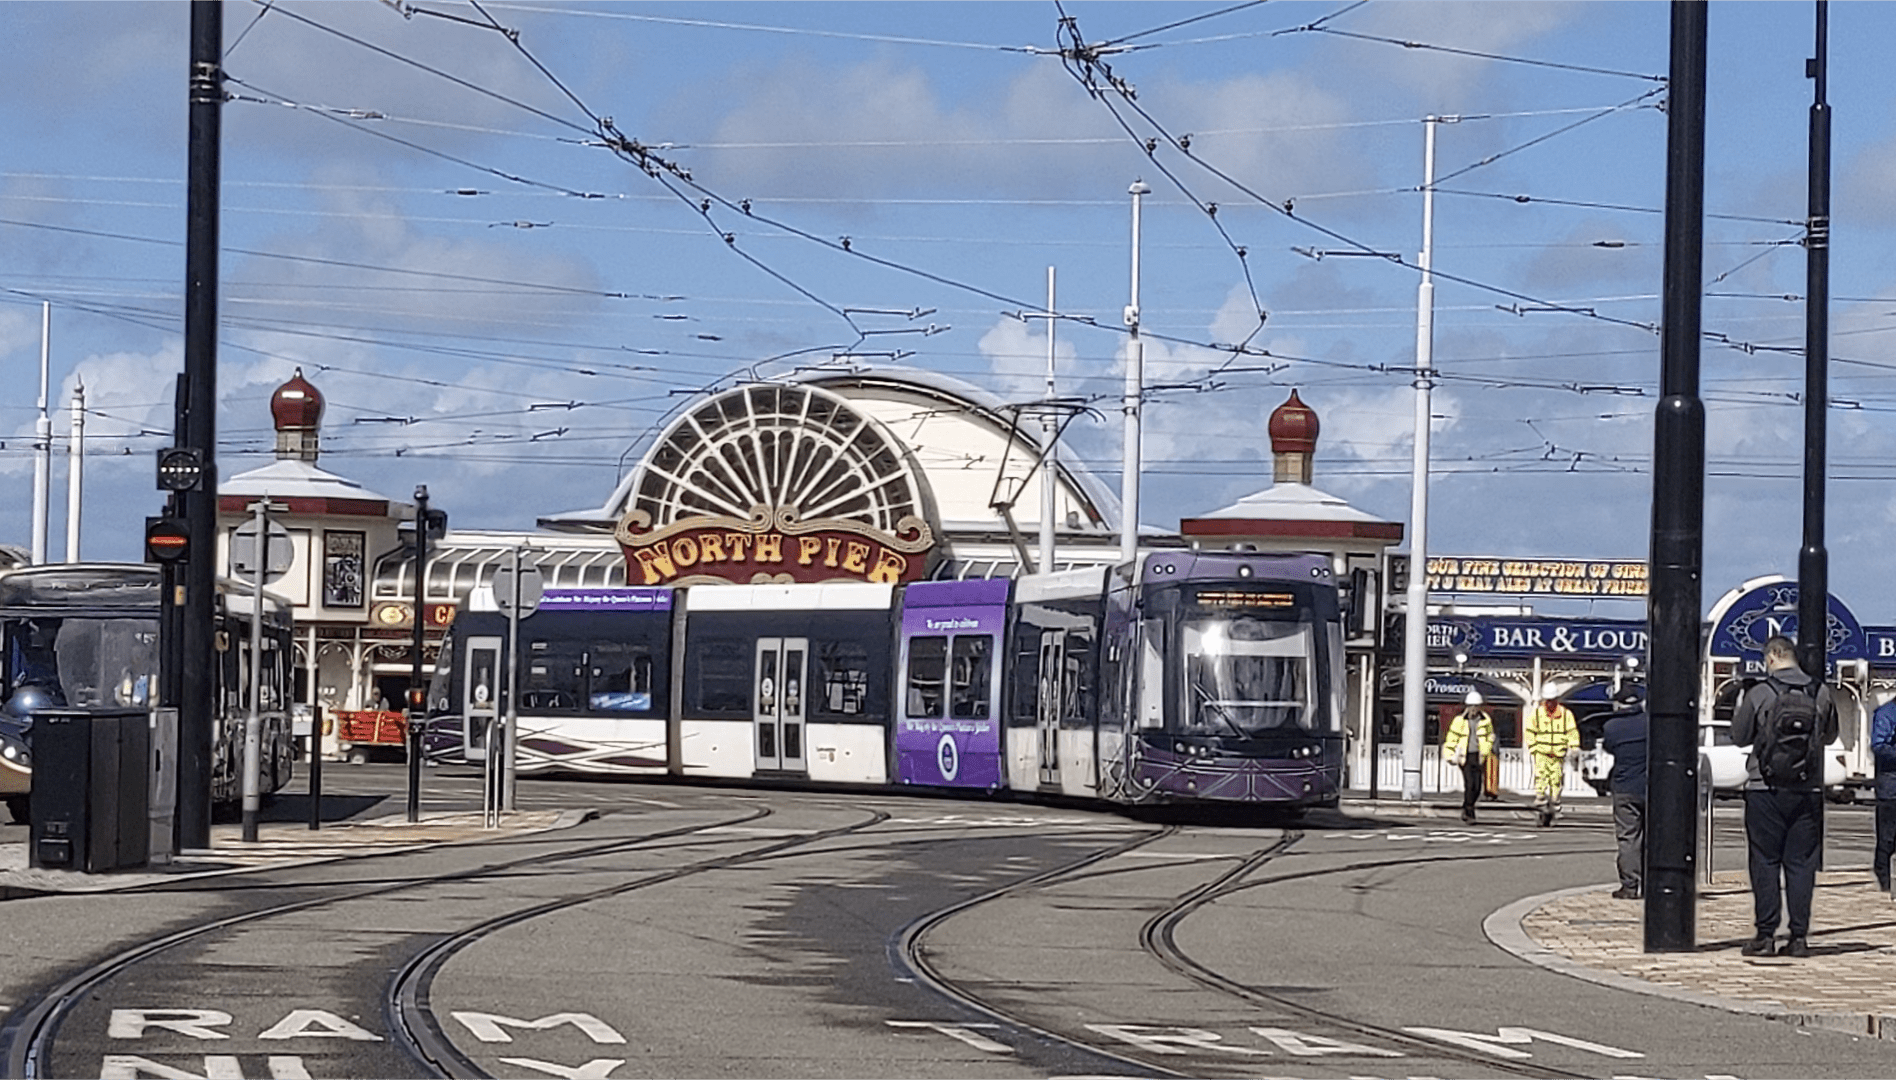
pixel 84 662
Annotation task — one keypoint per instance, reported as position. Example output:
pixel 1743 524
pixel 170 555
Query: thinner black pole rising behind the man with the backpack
pixel 1814 562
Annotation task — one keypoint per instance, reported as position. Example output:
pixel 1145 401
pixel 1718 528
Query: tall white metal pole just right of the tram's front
pixel 1415 626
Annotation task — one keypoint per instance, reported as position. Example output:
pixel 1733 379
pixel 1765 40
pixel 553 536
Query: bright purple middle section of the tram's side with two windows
pixel 949 727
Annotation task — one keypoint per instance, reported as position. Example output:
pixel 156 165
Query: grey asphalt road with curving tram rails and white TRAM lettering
pixel 761 933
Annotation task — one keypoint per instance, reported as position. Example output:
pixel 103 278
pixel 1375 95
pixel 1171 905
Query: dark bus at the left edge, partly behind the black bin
pixel 84 636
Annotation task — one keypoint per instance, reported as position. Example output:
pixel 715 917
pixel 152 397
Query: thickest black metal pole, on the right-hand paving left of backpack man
pixel 1679 511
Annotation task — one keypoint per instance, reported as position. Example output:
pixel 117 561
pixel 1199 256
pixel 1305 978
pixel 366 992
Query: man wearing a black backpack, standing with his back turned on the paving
pixel 1785 721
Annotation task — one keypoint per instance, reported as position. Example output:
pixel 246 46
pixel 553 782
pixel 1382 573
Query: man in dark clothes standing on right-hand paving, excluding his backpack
pixel 1783 823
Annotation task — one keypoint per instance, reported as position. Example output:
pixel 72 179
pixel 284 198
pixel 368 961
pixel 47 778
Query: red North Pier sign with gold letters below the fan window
pixel 771 547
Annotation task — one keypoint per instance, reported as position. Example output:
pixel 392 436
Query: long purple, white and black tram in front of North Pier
pixel 1182 677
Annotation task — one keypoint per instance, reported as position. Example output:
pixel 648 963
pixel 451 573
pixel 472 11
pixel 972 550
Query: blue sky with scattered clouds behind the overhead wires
pixel 511 348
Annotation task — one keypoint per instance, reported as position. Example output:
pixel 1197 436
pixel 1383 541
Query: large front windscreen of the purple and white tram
pixel 1250 664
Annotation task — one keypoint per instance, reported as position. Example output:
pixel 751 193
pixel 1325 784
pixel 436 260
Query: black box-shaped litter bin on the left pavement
pixel 90 789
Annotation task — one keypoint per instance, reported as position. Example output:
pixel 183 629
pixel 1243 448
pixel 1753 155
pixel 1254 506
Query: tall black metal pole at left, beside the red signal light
pixel 202 382
